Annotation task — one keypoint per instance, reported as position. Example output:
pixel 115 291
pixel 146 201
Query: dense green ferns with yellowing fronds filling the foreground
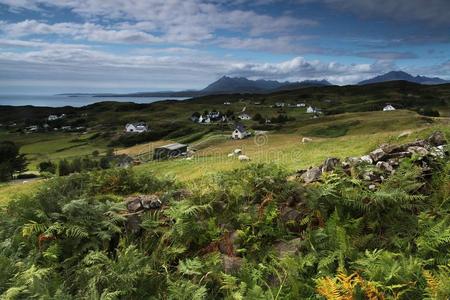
pixel 231 236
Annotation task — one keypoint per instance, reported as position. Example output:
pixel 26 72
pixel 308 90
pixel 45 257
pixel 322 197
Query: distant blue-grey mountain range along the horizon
pixel 236 85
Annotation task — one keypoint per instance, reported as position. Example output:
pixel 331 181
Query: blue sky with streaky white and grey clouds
pixel 52 46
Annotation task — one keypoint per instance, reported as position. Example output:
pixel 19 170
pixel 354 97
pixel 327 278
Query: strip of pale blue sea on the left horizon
pixel 71 100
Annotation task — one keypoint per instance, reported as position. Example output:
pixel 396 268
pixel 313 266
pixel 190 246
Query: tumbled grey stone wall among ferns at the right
pixel 385 159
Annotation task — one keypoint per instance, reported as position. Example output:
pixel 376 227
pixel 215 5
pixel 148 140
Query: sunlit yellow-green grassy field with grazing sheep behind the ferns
pixel 365 132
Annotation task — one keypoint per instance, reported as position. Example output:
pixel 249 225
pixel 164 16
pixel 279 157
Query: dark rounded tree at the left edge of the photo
pixel 11 161
